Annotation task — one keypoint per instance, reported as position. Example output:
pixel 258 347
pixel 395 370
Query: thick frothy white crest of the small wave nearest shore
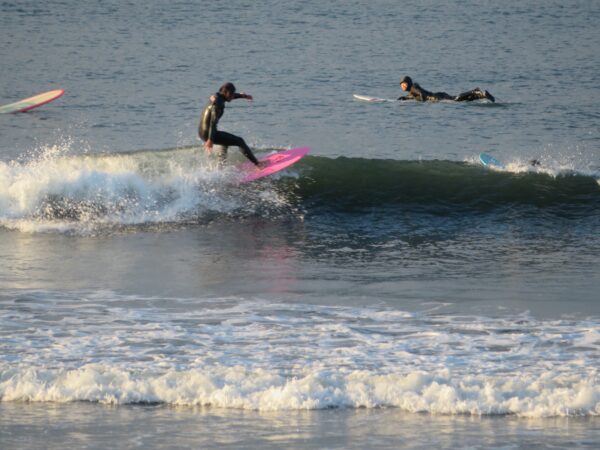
pixel 261 389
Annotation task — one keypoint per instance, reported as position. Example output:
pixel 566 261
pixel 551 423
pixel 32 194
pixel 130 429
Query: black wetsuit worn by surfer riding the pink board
pixel 207 129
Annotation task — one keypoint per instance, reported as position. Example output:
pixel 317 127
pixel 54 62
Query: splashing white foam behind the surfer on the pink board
pixel 57 192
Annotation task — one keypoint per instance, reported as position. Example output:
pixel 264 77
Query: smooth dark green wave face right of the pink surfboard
pixel 353 183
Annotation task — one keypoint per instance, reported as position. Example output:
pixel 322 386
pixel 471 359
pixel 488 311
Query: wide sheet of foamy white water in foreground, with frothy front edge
pixel 236 353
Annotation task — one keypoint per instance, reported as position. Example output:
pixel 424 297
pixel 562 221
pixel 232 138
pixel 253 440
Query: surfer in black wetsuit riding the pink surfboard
pixel 207 129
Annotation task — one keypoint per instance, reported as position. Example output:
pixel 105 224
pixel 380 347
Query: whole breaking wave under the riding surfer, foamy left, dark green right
pixel 95 193
